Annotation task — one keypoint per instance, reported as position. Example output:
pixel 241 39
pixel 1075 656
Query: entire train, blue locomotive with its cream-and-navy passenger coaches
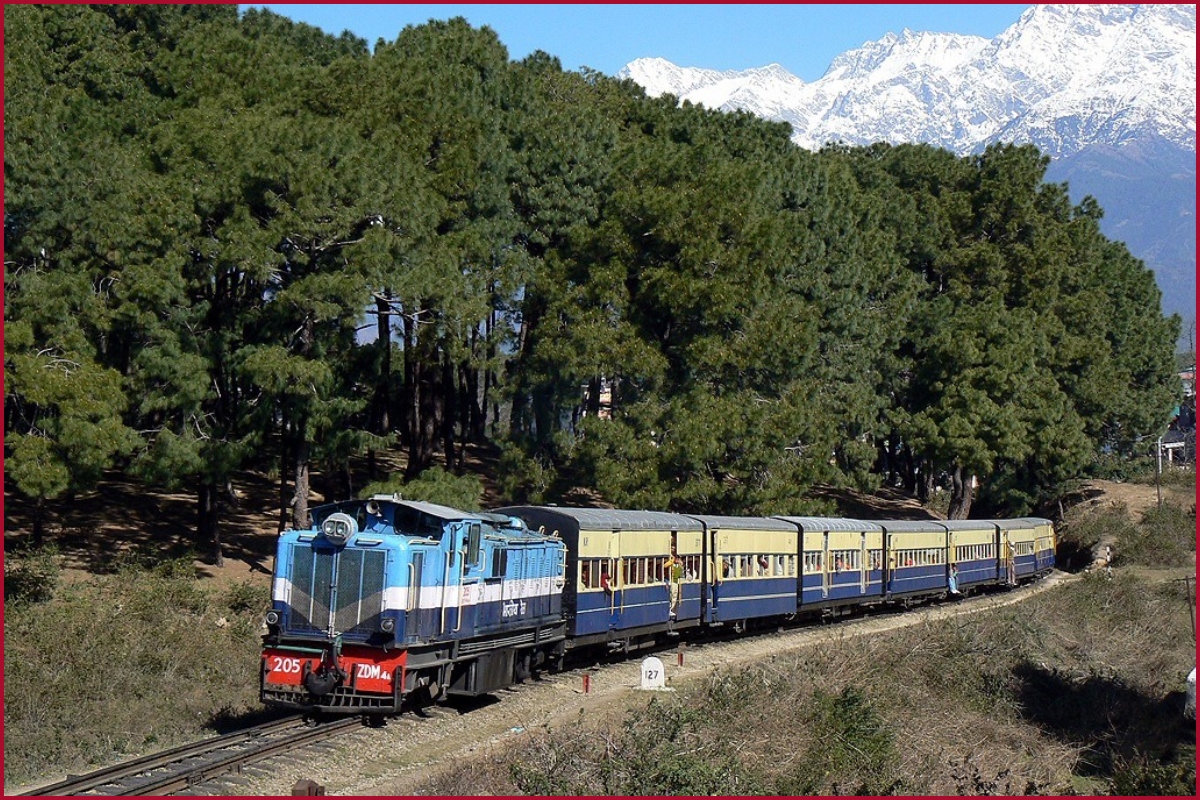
pixel 388 604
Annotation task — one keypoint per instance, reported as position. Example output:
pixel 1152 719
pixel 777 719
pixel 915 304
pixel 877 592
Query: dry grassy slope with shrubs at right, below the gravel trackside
pixel 1059 695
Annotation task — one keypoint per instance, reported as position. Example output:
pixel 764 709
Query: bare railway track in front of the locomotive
pixel 189 766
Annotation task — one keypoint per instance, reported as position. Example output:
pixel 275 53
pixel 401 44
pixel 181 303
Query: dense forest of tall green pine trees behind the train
pixel 237 243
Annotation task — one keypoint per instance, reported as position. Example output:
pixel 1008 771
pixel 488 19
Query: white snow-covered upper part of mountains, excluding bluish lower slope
pixel 1063 77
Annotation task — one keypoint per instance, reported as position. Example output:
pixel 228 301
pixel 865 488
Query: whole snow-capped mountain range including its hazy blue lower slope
pixel 1108 92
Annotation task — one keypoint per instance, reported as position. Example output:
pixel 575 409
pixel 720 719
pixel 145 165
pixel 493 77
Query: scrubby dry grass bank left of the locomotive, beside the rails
pixel 121 665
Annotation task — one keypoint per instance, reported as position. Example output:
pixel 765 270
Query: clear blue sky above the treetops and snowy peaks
pixel 805 39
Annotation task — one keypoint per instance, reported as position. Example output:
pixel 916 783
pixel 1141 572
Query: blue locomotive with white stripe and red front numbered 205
pixel 387 600
